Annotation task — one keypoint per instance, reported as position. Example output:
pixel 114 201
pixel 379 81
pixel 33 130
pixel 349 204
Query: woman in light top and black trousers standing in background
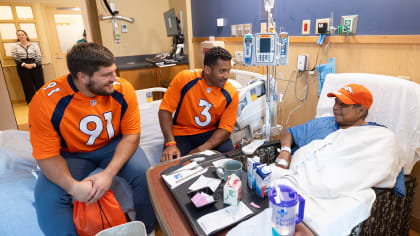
pixel 27 56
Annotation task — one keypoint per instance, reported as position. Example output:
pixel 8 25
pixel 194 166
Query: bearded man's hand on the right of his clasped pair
pixel 101 183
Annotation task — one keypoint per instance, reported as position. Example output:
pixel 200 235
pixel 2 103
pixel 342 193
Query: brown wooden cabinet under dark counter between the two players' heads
pixel 151 77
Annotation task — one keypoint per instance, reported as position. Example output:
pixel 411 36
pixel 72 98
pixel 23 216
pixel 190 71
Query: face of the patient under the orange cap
pixel 345 114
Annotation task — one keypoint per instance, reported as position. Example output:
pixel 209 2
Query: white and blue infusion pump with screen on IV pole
pixel 266 49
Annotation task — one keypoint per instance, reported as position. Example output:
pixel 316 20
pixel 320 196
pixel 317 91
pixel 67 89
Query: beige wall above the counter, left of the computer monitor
pixel 147 35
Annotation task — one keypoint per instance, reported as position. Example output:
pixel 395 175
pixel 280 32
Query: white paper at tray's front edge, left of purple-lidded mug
pixel 223 217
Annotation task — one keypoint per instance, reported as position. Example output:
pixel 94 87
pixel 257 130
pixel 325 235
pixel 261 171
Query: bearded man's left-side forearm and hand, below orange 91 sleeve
pixel 56 170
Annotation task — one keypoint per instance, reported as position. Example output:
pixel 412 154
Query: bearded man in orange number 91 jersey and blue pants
pixel 81 121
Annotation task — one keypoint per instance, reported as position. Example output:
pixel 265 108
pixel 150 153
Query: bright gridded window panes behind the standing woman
pixel 15 16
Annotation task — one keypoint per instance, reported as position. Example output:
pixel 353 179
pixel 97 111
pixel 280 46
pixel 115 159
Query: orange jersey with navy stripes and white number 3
pixel 197 107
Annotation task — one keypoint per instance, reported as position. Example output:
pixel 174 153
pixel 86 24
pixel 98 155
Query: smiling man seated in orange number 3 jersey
pixel 198 111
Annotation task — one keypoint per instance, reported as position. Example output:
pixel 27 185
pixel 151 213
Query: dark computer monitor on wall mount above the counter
pixel 173 29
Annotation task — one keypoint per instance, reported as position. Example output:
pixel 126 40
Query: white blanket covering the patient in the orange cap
pixel 335 176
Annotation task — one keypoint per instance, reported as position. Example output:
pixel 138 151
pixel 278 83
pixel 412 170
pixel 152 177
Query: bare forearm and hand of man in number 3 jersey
pixel 166 123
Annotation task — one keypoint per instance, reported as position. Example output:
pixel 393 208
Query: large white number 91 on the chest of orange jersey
pixel 94 133
